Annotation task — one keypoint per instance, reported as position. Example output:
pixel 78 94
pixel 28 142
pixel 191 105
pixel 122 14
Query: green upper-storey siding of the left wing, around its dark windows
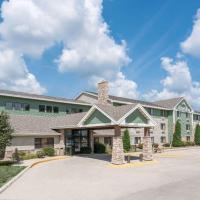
pixel 34 106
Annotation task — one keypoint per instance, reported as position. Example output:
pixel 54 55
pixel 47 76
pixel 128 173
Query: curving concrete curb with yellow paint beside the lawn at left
pixel 9 183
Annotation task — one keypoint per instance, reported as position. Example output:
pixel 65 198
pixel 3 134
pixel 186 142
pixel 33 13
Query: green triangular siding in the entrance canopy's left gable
pixel 97 118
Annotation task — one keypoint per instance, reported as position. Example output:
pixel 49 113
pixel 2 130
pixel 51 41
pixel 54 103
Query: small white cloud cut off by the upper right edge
pixel 192 44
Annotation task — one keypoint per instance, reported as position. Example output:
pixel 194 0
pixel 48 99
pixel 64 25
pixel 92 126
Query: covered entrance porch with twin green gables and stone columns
pixel 115 120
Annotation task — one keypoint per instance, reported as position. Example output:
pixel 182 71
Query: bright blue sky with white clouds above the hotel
pixel 139 32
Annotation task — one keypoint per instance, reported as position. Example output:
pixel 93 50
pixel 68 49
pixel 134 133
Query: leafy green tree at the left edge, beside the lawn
pixel 5 132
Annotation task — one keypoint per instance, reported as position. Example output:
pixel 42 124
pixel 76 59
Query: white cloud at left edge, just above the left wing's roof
pixel 15 75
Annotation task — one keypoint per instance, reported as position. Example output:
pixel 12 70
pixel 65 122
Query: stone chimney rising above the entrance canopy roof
pixel 103 92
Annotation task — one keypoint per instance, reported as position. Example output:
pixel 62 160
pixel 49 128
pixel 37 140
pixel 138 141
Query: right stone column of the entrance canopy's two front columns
pixel 147 146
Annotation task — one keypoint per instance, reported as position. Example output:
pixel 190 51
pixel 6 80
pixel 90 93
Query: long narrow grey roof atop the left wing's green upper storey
pixel 39 97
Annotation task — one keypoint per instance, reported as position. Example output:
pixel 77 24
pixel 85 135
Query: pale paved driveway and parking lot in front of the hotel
pixel 174 175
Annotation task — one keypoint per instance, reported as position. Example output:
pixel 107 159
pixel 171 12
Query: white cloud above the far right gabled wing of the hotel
pixel 177 83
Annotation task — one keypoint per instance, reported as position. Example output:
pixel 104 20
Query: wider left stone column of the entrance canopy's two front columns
pixel 117 148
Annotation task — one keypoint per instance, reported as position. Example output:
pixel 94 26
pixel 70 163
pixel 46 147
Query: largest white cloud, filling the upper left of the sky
pixel 30 27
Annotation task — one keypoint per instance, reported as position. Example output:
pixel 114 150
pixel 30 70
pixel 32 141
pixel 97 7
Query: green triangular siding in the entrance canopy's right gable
pixel 136 117
